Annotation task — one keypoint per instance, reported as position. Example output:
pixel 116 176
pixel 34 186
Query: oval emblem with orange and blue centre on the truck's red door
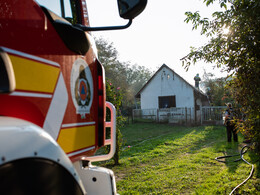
pixel 81 87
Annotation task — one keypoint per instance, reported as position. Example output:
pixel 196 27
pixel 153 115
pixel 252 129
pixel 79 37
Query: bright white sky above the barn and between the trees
pixel 157 36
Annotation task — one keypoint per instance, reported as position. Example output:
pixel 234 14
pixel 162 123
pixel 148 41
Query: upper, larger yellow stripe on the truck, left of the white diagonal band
pixel 34 76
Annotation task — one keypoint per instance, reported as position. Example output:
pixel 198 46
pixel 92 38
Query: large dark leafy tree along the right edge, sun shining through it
pixel 237 51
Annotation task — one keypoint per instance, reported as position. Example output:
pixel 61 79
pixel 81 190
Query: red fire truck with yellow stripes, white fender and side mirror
pixel 52 98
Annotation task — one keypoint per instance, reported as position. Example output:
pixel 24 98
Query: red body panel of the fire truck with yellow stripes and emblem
pixel 56 88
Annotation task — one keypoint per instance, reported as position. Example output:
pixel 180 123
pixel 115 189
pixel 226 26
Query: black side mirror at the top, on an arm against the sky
pixel 129 9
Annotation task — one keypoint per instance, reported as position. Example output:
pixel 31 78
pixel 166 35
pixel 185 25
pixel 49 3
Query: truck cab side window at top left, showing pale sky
pixel 63 8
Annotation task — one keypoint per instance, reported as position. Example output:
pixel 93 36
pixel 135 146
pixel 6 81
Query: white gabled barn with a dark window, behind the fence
pixel 167 89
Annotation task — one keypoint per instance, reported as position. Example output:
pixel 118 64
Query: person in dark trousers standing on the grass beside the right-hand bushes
pixel 229 122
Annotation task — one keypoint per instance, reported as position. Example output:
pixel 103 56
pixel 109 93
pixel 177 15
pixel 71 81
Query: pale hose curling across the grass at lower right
pixel 242 152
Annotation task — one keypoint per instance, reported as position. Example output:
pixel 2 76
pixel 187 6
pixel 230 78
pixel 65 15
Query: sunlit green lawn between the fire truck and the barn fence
pixel 163 159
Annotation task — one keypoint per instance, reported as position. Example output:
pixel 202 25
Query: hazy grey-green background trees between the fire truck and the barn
pixel 129 77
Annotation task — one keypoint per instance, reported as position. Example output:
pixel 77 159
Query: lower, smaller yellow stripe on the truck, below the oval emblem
pixel 76 138
